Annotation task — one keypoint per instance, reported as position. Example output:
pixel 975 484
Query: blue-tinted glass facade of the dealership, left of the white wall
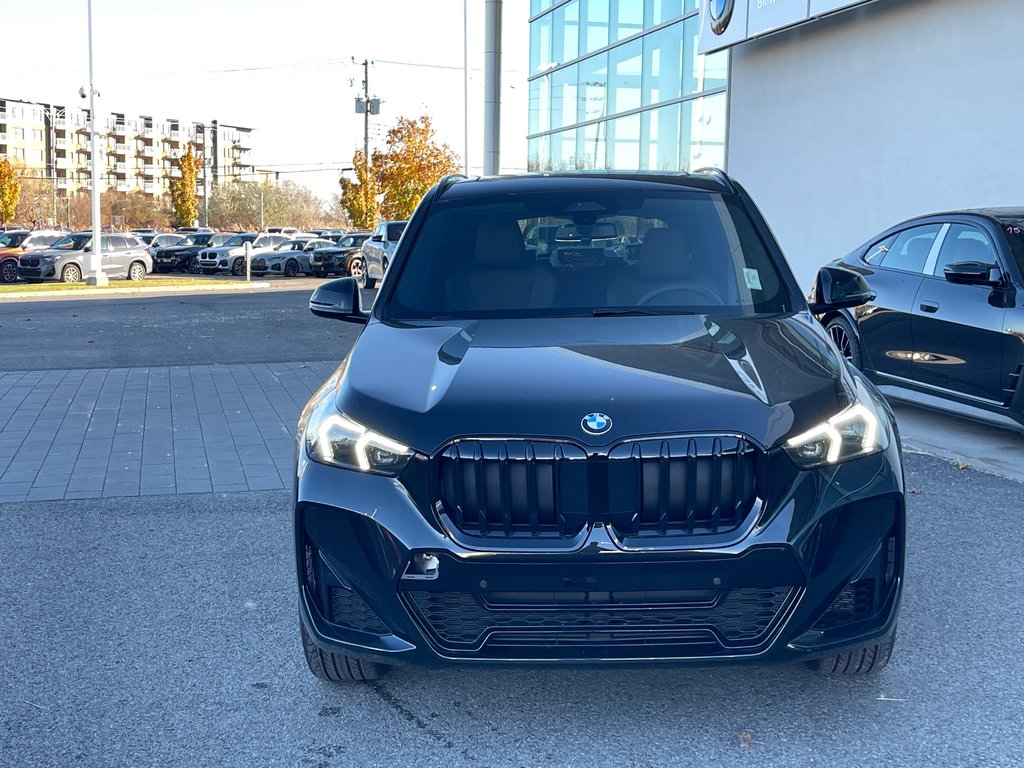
pixel 618 84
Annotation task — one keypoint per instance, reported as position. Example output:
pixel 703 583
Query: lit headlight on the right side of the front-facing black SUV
pixel 859 431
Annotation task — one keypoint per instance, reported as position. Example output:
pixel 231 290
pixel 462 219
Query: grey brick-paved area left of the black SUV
pixel 87 434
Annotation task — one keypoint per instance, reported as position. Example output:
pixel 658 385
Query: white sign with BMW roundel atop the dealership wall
pixel 726 23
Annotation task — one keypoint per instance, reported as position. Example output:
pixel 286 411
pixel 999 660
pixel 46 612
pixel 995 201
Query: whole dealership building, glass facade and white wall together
pixel 840 117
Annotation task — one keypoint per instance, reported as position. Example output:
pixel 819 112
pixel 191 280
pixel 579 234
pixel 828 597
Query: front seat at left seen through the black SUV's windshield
pixel 500 275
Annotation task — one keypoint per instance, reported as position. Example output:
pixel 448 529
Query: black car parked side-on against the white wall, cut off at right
pixel 947 327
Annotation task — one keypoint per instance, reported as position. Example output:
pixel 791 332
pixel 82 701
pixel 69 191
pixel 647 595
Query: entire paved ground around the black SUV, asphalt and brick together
pixel 151 614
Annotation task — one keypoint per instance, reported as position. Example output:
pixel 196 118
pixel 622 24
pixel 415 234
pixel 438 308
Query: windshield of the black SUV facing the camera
pixel 622 252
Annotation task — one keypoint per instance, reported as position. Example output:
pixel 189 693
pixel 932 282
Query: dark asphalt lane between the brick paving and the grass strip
pixel 263 326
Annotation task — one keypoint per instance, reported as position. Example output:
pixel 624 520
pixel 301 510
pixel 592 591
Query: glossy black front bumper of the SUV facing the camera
pixel 818 572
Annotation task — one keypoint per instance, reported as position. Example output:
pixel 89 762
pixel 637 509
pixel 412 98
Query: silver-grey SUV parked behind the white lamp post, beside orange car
pixel 122 257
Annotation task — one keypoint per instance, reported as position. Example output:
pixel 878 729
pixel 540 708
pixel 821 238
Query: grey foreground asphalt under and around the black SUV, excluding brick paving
pixel 163 632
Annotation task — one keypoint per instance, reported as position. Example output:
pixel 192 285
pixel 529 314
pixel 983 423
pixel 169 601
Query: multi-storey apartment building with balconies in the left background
pixel 139 153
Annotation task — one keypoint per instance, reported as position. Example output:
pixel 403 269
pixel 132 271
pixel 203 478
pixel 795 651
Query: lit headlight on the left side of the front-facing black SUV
pixel 334 439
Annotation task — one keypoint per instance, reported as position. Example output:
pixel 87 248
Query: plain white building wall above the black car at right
pixel 852 123
